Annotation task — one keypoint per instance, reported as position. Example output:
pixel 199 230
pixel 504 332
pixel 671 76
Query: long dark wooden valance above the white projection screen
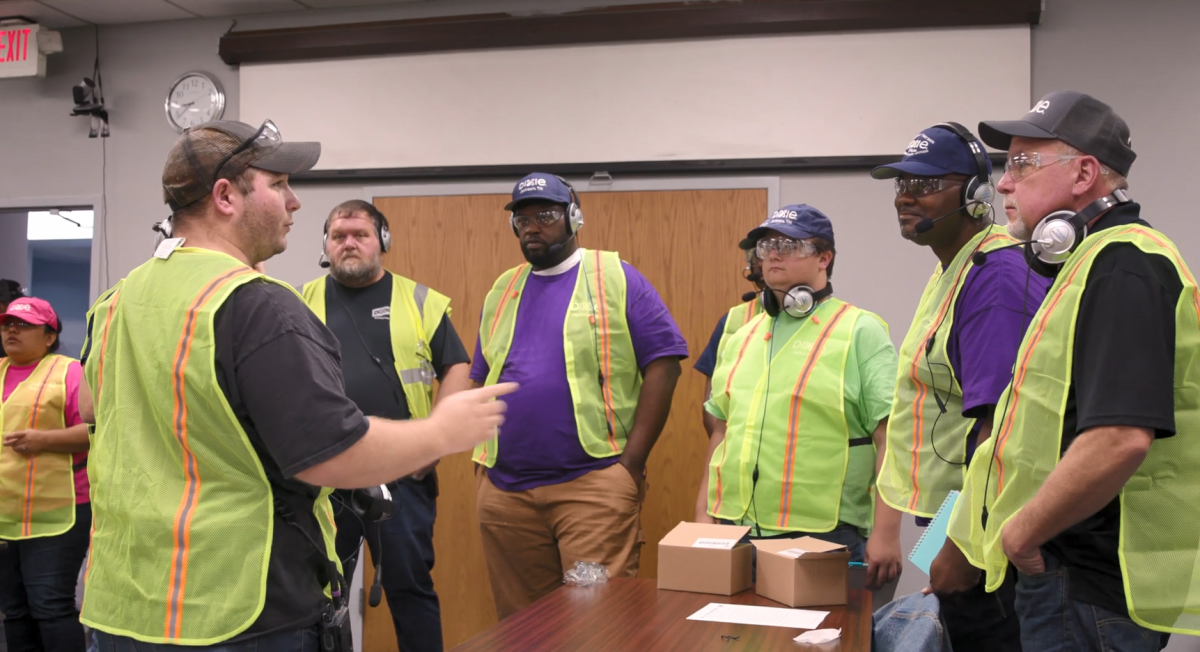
pixel 652 22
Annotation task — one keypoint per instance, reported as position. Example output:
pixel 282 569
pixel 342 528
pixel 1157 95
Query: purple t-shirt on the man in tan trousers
pixel 539 442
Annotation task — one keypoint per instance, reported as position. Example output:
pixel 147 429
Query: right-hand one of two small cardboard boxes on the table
pixel 803 572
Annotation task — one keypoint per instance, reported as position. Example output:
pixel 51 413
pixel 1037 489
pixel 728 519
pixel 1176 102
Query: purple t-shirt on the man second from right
pixel 991 319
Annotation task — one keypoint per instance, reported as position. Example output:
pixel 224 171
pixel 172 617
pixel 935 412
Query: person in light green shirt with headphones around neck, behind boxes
pixel 802 394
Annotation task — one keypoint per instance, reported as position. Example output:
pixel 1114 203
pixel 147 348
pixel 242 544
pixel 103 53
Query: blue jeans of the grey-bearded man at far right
pixel 1053 623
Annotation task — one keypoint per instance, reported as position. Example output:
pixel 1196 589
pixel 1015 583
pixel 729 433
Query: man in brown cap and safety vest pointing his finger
pixel 220 414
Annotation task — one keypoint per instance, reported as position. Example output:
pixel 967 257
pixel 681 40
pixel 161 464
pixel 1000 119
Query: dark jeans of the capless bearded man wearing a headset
pixel 407 557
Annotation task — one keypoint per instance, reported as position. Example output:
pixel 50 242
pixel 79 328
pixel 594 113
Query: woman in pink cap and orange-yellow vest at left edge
pixel 45 512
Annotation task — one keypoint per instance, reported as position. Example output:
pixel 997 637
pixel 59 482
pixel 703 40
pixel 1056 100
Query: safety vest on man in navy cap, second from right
pixel 916 477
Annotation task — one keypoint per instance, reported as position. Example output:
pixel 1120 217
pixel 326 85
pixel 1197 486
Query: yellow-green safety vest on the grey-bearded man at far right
pixel 1160 516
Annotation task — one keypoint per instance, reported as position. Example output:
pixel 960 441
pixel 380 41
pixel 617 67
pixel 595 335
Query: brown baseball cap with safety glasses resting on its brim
pixel 224 149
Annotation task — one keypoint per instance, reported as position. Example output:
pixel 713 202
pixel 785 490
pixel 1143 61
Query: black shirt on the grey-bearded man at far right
pixel 1124 375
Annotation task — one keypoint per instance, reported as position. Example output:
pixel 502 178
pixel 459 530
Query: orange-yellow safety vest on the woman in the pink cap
pixel 37 492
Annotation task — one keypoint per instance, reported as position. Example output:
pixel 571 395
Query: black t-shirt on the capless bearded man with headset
pixel 361 320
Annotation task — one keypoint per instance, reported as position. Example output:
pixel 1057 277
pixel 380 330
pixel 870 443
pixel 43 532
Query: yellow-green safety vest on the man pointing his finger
pixel 183 510
